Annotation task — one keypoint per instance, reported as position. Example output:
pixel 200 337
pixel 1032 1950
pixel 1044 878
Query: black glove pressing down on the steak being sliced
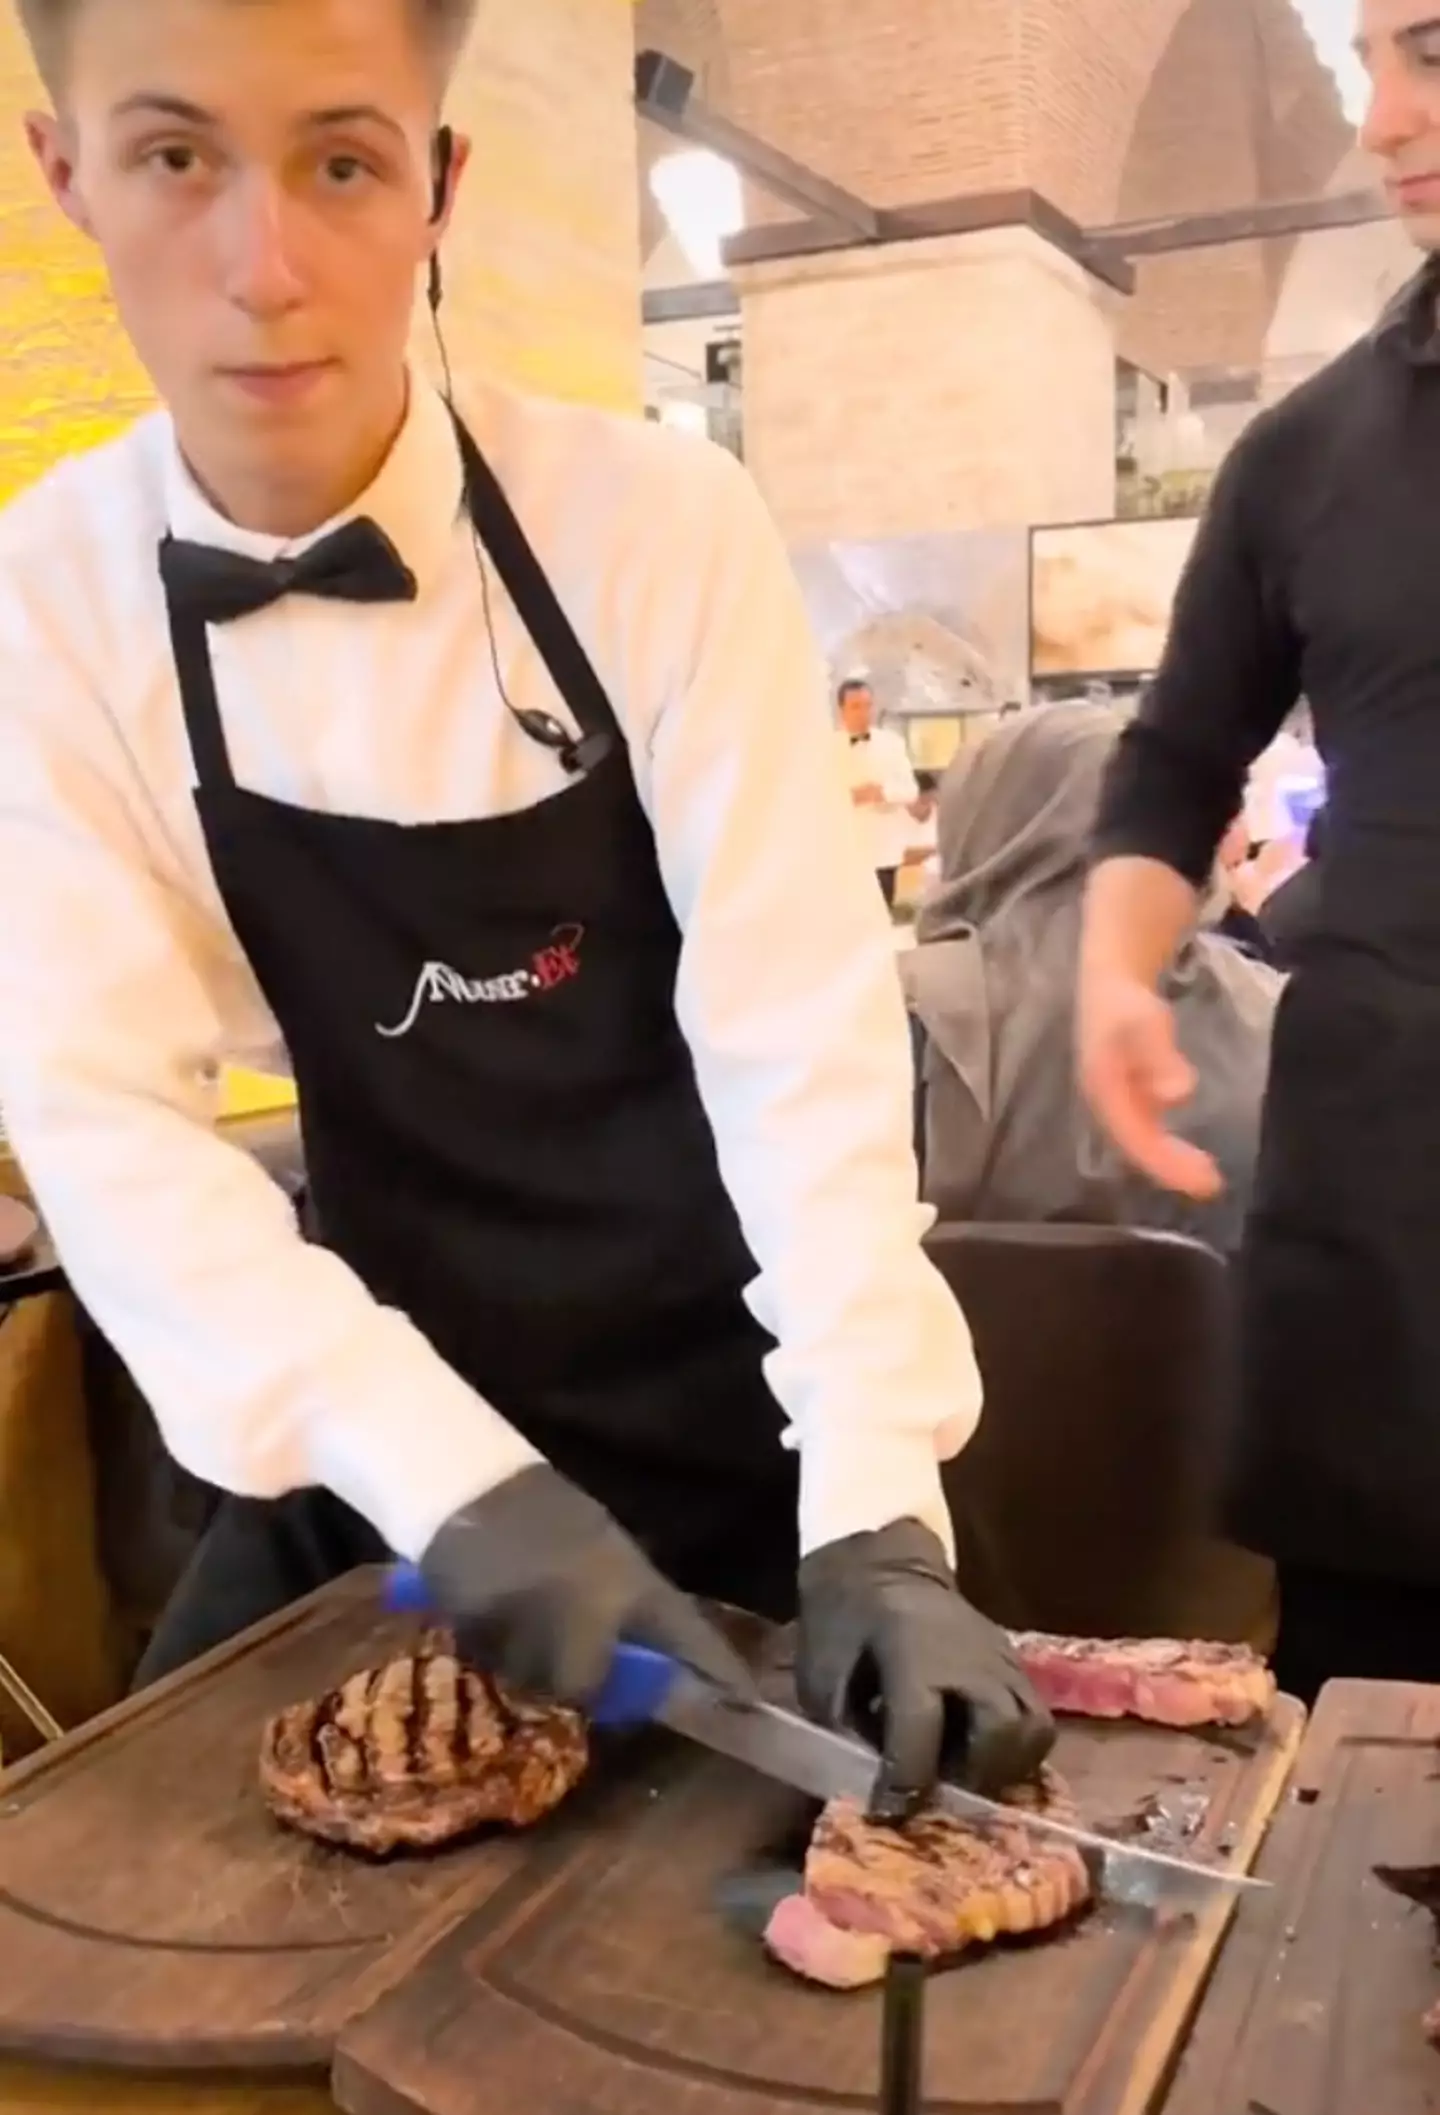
pixel 889 1649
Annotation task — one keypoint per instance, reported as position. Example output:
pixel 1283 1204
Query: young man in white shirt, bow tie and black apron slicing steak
pixel 456 762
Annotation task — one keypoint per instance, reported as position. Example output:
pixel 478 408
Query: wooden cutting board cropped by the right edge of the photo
pixel 1316 2006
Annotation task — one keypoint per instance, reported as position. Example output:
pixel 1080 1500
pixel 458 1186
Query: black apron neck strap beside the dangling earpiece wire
pixel 538 606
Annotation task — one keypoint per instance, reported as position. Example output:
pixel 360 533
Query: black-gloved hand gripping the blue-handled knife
pixel 540 1585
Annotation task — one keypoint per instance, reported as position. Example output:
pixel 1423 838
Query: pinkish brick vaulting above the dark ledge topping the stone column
pixel 1111 109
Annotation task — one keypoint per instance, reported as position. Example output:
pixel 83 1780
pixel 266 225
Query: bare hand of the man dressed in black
pixel 1134 1073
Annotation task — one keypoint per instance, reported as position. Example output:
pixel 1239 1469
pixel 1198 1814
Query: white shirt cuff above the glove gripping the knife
pixel 407 1467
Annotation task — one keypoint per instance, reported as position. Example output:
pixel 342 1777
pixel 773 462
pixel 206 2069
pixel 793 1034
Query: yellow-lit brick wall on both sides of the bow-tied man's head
pixel 542 270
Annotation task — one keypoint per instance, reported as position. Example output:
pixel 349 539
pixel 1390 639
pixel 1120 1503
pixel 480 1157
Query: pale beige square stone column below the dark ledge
pixel 931 386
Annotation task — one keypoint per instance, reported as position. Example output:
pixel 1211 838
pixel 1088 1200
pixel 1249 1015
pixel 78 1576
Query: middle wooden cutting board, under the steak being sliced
pixel 604 1981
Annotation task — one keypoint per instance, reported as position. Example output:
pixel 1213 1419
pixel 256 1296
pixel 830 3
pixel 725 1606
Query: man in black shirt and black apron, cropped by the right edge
pixel 1316 572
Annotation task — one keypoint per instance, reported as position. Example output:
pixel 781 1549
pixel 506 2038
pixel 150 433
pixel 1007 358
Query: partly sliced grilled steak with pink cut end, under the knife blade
pixel 931 1888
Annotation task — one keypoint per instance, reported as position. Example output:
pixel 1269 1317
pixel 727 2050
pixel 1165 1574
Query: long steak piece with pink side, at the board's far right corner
pixel 1149 1678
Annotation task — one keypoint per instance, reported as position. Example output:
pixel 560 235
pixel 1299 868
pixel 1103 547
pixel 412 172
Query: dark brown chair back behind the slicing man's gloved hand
pixel 1088 1498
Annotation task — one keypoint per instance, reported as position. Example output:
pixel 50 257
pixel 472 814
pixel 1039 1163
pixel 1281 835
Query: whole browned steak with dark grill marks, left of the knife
pixel 416 1754
